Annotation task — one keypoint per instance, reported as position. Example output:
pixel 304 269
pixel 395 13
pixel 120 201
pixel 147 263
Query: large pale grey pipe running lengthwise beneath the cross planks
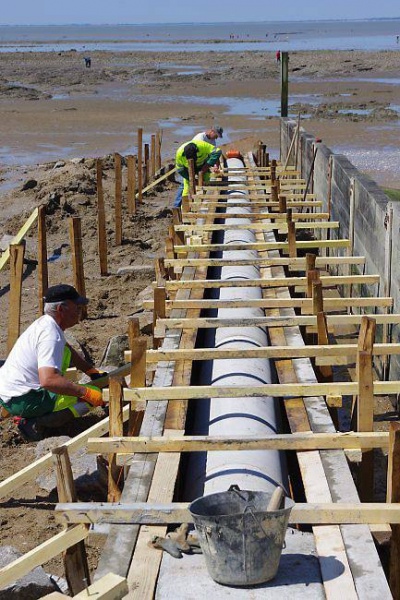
pixel 251 470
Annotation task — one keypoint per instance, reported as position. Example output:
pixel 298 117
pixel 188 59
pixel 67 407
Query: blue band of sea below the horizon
pixel 368 34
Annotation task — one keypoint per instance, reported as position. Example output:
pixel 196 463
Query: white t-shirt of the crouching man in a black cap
pixel 41 345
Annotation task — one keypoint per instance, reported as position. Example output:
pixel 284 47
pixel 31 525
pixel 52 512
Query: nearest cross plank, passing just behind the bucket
pixel 144 513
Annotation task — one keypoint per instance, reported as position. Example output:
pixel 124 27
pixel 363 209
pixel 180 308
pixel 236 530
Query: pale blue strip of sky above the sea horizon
pixel 59 12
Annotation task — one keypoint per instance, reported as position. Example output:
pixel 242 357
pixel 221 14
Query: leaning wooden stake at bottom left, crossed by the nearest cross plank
pixel 75 558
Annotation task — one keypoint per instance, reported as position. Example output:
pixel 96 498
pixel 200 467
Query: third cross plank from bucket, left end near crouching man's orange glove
pixel 271 389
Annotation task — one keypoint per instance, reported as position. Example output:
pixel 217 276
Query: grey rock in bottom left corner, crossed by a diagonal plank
pixel 30 587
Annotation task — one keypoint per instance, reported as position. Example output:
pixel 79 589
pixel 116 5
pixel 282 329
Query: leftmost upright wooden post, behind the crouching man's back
pixel 17 252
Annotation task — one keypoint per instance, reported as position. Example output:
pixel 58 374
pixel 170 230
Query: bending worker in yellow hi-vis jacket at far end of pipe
pixel 205 157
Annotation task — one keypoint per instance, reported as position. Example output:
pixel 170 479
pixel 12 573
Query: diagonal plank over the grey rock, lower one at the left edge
pixel 42 554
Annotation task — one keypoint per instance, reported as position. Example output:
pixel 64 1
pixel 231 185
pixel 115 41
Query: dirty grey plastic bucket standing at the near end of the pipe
pixel 241 542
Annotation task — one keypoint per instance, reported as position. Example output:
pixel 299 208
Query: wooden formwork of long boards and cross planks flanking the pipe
pixel 146 505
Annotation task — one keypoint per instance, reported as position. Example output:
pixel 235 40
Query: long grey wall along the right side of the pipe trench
pixel 366 216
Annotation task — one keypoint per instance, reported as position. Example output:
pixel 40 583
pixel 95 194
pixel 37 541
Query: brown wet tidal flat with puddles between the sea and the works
pixel 53 107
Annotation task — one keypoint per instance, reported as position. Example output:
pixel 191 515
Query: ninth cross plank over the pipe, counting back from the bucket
pixel 262 246
